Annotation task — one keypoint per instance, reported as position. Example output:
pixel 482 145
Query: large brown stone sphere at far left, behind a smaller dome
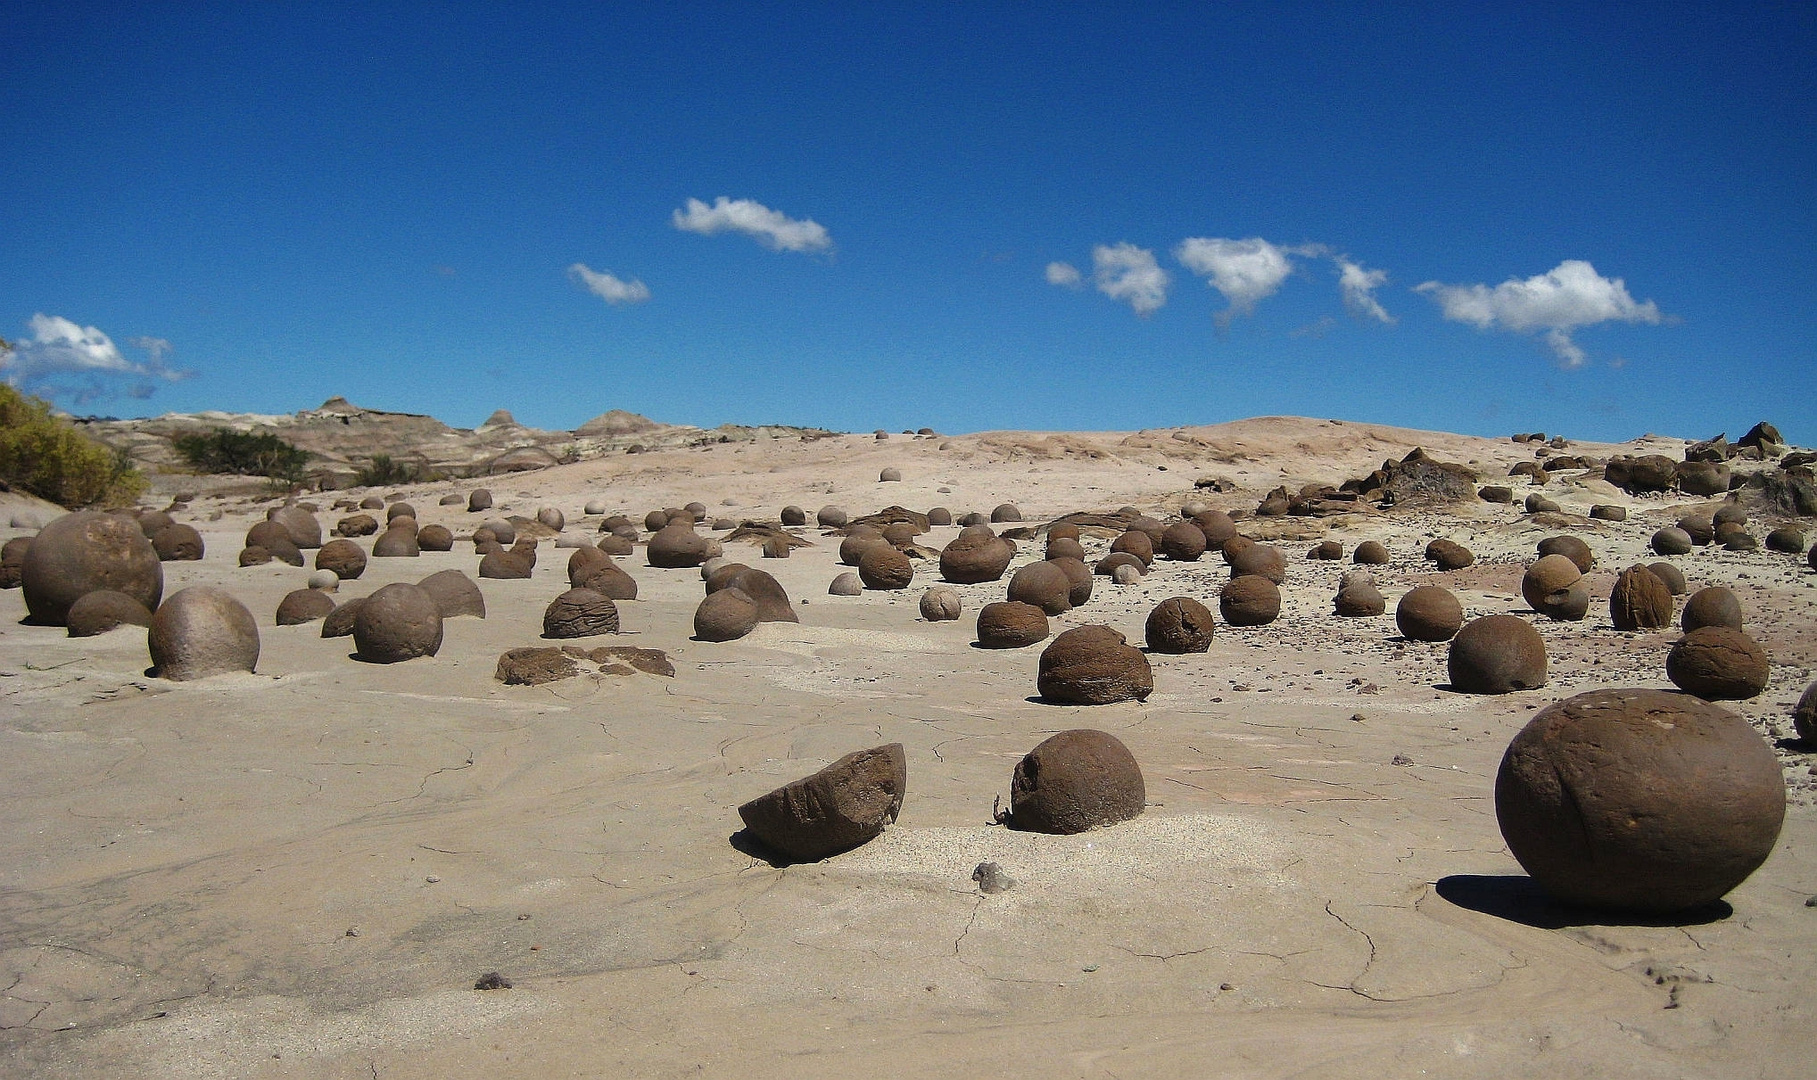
pixel 84 552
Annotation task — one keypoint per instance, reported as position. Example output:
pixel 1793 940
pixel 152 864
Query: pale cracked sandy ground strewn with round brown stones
pixel 303 872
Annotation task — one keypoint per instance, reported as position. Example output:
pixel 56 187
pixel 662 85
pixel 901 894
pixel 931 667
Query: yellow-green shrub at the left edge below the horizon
pixel 48 457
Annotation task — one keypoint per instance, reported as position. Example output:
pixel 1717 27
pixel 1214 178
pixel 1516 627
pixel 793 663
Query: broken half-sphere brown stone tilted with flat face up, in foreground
pixel 839 808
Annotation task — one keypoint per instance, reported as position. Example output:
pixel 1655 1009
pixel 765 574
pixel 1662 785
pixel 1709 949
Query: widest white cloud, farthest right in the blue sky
pixel 1560 301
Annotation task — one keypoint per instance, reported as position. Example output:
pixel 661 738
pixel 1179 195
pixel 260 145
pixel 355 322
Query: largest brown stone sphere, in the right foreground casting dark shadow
pixel 1640 801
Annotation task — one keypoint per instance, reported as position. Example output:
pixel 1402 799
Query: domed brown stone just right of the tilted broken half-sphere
pixel 1073 783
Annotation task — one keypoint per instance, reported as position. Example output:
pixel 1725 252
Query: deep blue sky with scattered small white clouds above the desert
pixel 1594 221
